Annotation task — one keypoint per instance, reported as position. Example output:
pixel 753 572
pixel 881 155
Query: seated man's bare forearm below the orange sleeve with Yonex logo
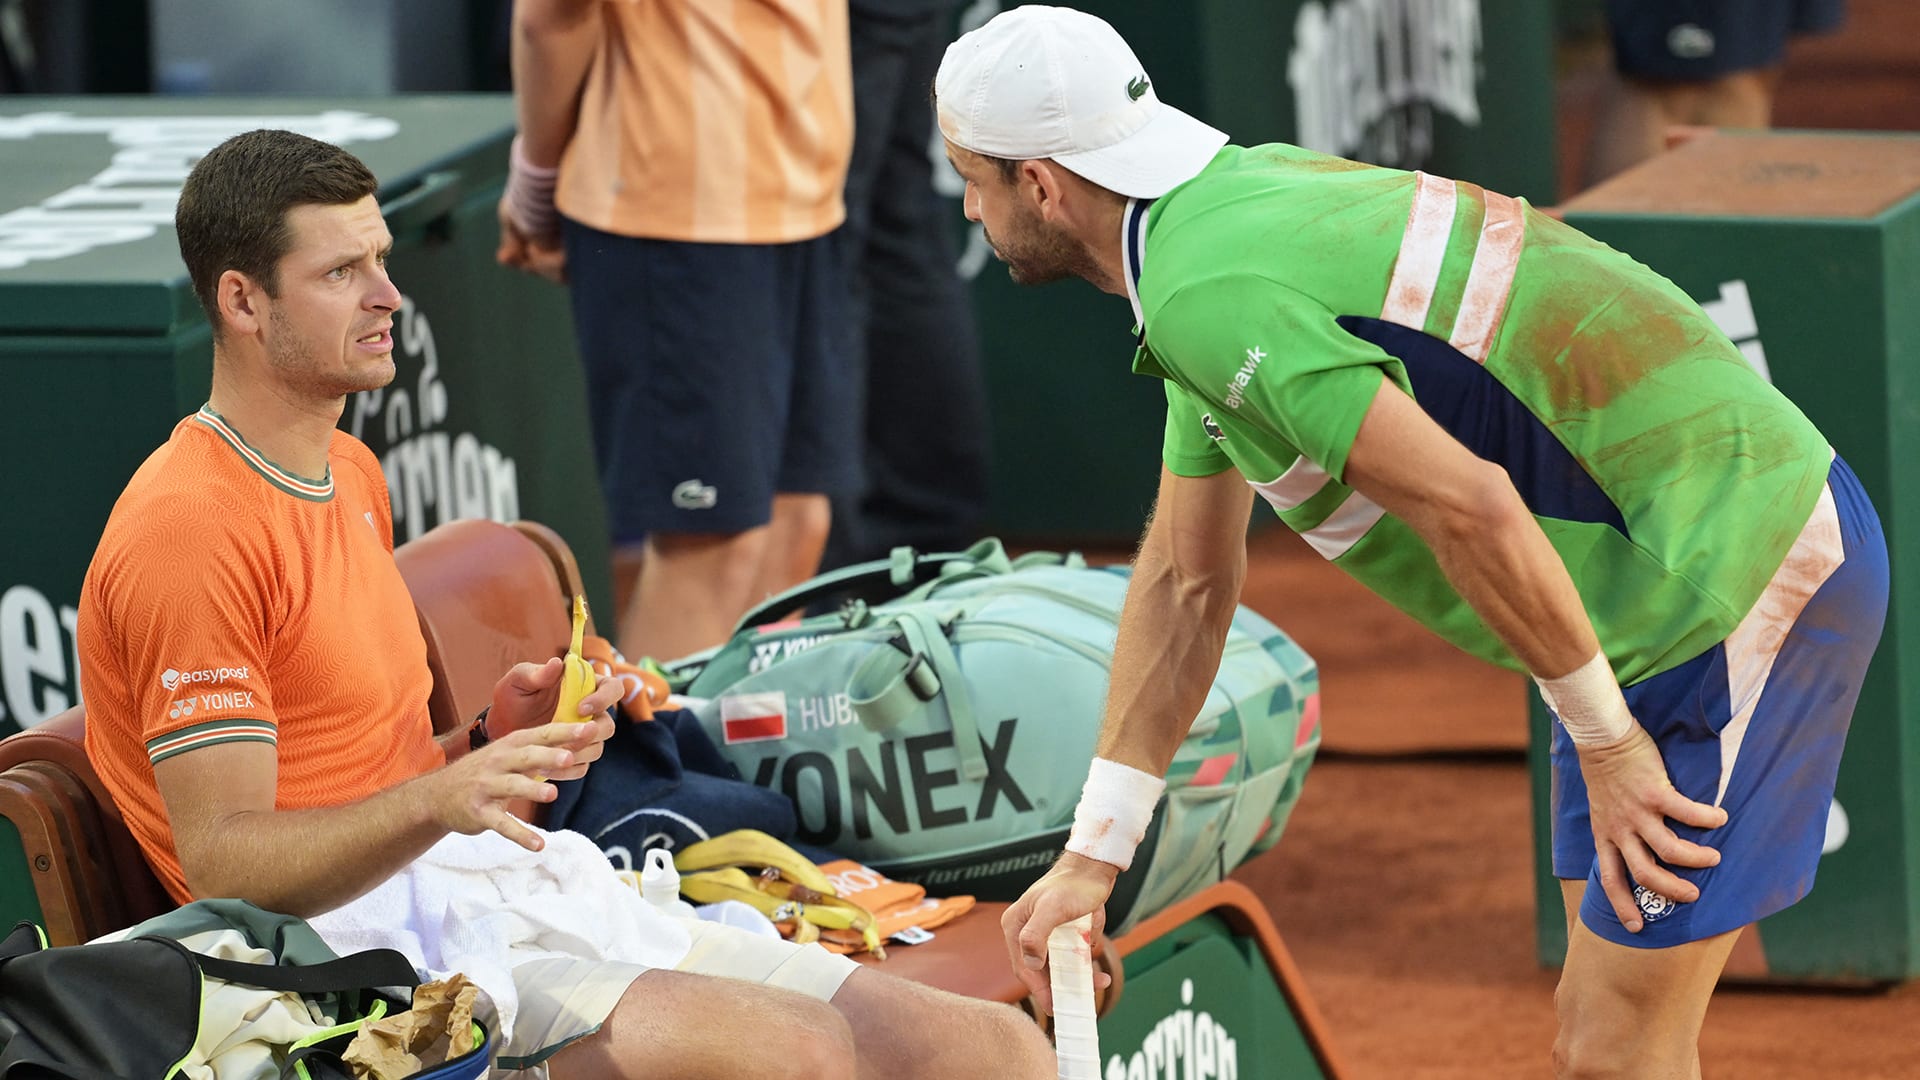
pixel 314 860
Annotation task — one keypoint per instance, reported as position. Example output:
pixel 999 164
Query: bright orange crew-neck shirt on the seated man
pixel 235 602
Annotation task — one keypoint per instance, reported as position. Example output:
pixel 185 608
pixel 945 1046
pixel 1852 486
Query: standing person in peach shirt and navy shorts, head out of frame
pixel 683 168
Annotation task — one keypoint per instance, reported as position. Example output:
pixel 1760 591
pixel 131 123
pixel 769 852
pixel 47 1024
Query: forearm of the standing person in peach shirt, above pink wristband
pixel 554 47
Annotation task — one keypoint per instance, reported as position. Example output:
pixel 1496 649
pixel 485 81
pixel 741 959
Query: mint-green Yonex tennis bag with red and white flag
pixel 938 727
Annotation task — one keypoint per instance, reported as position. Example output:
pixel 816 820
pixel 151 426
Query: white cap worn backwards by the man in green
pixel 1059 84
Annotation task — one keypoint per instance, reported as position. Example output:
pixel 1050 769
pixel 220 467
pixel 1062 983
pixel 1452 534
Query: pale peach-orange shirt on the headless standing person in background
pixel 717 122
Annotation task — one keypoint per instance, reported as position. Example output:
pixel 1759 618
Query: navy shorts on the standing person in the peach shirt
pixel 717 378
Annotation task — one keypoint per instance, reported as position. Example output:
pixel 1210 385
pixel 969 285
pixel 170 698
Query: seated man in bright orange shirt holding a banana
pixel 256 685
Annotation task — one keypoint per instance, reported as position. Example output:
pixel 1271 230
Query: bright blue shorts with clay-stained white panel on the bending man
pixel 1754 725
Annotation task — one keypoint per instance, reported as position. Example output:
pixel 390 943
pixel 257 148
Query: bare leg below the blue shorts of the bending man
pixel 1631 1012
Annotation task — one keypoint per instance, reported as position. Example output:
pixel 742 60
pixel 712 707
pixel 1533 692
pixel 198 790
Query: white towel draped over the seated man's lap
pixel 483 904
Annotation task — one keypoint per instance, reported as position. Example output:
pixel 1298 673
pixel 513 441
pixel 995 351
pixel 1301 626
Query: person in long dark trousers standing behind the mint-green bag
pixel 926 397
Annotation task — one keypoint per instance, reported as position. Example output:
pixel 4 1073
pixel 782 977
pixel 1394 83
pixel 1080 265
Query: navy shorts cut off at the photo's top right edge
pixel 1706 39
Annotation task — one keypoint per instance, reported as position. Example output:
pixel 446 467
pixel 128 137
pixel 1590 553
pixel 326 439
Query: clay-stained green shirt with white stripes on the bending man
pixel 1280 285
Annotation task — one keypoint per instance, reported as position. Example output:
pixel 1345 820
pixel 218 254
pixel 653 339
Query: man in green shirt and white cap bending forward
pixel 1533 445
